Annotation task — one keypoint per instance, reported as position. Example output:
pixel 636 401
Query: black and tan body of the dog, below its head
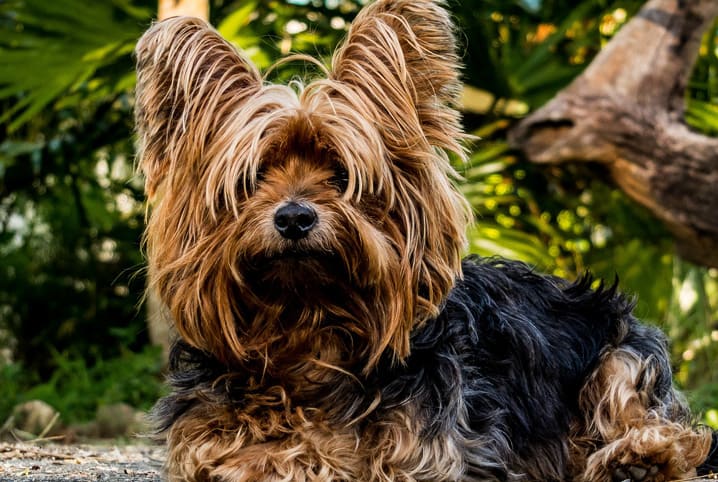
pixel 509 382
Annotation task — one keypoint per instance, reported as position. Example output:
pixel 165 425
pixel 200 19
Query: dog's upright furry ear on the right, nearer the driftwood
pixel 400 57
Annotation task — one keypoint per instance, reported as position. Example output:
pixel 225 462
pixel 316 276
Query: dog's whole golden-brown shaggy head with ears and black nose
pixel 286 219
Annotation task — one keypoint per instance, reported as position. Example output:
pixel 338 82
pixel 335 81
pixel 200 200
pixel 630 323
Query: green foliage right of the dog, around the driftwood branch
pixel 569 220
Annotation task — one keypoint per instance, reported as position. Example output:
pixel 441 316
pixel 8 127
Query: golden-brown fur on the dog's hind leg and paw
pixel 624 425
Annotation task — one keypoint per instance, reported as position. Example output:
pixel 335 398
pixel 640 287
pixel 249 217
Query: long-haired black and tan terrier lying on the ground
pixel 307 242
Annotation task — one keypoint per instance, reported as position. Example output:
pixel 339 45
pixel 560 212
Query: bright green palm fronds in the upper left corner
pixel 63 45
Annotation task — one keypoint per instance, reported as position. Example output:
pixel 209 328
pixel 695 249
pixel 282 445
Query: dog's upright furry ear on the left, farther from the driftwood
pixel 188 79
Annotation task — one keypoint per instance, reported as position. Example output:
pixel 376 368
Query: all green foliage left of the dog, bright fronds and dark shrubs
pixel 71 210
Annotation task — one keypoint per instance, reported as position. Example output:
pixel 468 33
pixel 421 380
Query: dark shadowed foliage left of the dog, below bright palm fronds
pixel 71 220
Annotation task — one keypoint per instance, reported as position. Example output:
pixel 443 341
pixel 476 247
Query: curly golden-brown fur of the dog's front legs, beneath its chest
pixel 307 450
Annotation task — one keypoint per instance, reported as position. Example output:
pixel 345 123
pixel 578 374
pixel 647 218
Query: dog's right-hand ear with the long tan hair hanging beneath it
pixel 398 68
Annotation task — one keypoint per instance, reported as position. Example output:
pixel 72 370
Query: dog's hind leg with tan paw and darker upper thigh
pixel 637 427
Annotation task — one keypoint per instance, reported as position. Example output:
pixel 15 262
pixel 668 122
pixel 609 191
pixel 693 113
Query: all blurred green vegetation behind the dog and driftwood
pixel 72 323
